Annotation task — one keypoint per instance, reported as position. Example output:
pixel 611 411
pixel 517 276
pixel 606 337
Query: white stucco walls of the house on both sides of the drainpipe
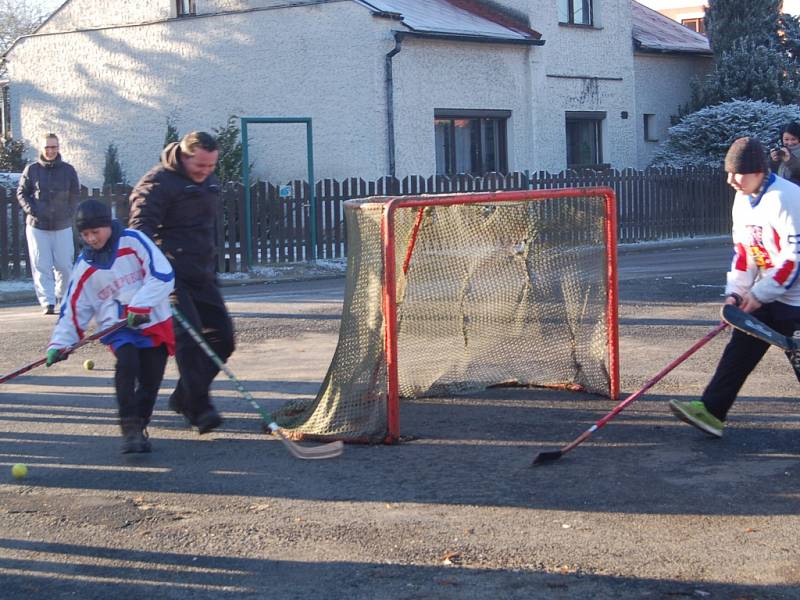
pixel 120 85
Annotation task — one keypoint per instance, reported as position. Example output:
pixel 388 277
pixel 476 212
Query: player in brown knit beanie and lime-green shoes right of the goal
pixel 762 279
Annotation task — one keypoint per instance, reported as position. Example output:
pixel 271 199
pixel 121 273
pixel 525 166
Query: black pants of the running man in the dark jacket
pixel 205 310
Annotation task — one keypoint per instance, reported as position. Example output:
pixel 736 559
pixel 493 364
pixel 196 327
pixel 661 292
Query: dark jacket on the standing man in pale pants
pixel 48 192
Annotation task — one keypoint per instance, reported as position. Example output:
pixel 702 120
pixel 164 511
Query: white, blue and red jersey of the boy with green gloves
pixel 137 277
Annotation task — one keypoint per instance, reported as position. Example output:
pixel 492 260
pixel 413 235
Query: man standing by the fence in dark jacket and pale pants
pixel 48 192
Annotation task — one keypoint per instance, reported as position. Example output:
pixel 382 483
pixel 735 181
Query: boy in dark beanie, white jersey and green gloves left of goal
pixel 121 274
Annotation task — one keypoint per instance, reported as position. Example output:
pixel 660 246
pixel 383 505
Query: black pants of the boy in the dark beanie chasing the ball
pixel 137 377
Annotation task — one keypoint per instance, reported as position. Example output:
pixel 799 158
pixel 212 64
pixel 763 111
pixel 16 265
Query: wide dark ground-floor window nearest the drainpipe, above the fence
pixel 470 142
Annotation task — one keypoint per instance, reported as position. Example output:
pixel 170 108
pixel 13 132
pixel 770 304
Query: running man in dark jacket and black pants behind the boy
pixel 175 204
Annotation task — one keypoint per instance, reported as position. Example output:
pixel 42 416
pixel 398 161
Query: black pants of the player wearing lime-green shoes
pixel 743 353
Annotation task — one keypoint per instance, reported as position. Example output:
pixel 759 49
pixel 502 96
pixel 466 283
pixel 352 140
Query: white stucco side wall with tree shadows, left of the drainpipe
pixel 120 85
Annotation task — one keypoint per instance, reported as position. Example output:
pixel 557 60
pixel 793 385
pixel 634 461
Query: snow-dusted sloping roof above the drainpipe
pixel 460 18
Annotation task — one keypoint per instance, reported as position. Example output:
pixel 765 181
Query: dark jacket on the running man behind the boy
pixel 179 215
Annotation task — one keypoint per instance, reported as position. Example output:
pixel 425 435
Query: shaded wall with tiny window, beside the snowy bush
pixel 661 81
